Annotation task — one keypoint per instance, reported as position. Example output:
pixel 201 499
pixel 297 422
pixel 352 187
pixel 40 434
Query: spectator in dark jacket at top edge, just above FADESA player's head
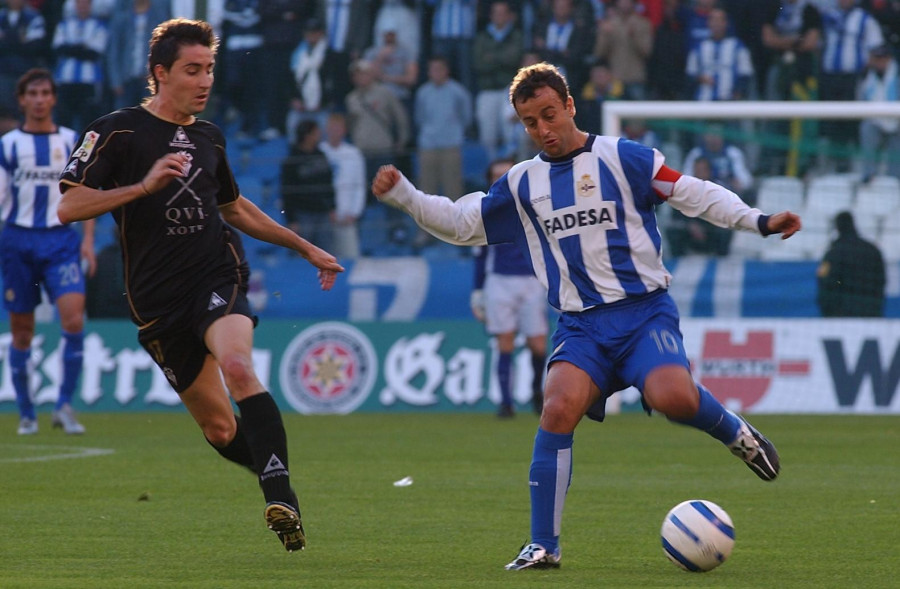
pixel 566 41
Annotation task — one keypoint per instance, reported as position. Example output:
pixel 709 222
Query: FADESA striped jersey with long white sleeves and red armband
pixel 586 222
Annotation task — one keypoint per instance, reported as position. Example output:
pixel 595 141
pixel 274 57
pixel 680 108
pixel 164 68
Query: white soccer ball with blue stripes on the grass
pixel 697 535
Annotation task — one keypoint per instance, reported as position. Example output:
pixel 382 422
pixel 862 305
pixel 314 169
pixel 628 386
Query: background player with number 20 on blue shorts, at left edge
pixel 37 250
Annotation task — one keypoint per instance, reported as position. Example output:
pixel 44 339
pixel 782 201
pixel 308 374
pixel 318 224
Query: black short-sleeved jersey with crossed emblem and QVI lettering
pixel 174 240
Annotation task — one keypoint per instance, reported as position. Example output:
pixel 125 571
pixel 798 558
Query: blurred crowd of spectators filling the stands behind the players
pixel 423 83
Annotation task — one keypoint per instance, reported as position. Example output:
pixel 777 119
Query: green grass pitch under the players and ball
pixel 831 520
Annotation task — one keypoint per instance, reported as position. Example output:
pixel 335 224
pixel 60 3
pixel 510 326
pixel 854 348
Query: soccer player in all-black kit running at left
pixel 164 176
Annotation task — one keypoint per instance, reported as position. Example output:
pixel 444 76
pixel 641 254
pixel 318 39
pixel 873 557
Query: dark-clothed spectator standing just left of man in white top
pixel 307 187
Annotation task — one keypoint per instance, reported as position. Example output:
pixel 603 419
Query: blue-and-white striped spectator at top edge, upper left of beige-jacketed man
pixel 348 28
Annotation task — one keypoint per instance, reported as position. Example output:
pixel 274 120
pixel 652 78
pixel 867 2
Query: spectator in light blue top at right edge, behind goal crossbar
pixel 882 135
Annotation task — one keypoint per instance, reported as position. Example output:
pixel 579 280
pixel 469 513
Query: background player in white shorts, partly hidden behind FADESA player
pixel 509 300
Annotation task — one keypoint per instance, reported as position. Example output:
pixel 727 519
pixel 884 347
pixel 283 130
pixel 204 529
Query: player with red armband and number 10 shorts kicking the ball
pixel 583 212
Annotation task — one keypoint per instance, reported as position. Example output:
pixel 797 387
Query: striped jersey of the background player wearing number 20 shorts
pixel 30 167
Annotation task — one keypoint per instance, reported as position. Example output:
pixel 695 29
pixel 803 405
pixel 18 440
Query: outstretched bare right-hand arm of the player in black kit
pixel 248 218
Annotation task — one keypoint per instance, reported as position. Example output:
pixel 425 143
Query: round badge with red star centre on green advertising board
pixel 328 368
